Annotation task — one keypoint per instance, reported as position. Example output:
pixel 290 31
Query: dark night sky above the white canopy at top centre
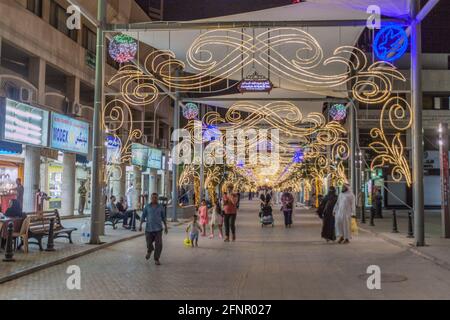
pixel 180 10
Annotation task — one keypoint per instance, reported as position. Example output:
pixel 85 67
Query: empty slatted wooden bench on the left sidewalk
pixel 40 226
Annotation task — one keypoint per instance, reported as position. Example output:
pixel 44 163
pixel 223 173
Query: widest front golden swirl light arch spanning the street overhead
pixel 371 83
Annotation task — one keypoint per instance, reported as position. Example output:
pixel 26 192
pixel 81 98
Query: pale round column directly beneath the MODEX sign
pixel 68 185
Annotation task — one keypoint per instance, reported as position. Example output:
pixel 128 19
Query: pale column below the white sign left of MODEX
pixel 31 177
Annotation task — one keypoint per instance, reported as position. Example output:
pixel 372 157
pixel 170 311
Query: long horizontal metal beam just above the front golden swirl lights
pixel 176 25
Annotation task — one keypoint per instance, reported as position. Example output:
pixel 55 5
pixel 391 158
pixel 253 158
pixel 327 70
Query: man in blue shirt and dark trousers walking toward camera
pixel 155 219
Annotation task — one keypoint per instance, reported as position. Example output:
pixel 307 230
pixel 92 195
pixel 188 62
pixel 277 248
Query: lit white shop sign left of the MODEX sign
pixel 23 123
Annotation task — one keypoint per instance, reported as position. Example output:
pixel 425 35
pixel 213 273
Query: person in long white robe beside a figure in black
pixel 343 211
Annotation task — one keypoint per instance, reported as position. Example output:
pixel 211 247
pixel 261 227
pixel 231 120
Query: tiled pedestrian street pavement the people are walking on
pixel 265 263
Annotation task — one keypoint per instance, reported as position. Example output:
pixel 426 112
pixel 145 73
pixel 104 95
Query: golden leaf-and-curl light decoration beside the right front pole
pixel 391 152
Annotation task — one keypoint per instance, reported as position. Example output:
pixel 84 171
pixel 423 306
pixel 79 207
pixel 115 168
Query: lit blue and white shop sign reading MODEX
pixel 68 134
